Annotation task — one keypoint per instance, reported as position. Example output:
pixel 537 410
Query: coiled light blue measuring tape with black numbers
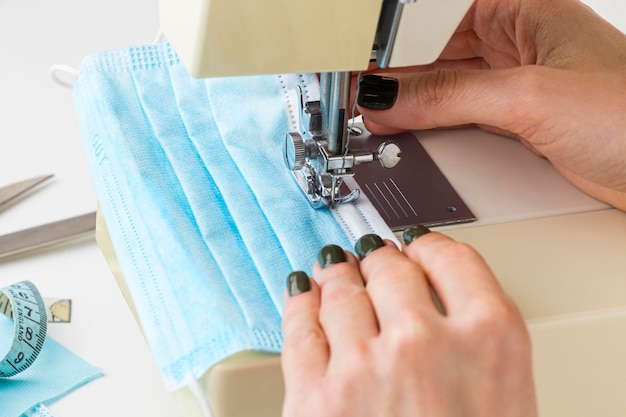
pixel 23 303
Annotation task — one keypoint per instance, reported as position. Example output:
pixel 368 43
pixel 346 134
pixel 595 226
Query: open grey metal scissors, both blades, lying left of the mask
pixel 40 236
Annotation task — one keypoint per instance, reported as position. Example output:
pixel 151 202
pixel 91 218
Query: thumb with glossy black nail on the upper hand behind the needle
pixel 447 98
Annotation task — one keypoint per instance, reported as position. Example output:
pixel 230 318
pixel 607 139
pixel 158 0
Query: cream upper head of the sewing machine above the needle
pixel 242 37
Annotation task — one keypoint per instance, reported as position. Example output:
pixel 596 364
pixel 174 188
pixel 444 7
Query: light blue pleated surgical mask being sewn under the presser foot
pixel 204 216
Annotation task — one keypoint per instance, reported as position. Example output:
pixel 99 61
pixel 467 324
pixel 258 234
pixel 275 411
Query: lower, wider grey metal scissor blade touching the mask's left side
pixel 46 235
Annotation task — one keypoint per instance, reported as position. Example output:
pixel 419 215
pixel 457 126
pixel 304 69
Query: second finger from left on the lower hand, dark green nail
pixel 346 312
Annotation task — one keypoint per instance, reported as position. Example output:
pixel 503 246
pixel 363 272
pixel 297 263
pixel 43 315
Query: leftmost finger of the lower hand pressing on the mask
pixel 305 349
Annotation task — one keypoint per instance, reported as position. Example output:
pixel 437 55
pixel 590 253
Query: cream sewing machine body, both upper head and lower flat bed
pixel 521 201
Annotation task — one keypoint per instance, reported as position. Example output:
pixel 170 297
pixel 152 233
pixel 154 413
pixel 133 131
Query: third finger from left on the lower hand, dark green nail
pixel 395 284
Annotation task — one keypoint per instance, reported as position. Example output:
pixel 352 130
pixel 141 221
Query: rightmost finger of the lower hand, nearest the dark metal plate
pixel 459 275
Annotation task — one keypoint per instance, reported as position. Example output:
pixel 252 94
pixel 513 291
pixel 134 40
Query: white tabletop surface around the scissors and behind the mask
pixel 39 135
